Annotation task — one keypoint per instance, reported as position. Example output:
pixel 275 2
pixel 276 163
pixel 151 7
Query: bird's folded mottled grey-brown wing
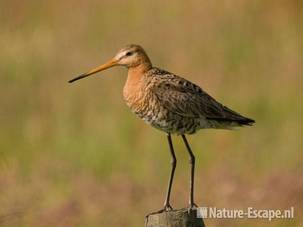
pixel 187 99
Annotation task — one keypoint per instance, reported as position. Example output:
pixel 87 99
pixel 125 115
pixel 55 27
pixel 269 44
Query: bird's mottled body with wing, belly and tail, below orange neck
pixel 176 105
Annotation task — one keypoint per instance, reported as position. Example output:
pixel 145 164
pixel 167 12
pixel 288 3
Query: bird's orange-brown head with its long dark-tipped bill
pixel 129 56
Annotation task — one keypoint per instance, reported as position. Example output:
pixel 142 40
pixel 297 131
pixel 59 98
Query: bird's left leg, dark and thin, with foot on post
pixel 167 206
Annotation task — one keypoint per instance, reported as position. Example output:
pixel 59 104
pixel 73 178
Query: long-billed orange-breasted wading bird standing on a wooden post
pixel 170 103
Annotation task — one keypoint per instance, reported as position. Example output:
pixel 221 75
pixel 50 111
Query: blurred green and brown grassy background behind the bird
pixel 74 155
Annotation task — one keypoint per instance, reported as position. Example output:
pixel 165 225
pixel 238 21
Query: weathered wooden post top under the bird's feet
pixel 176 218
